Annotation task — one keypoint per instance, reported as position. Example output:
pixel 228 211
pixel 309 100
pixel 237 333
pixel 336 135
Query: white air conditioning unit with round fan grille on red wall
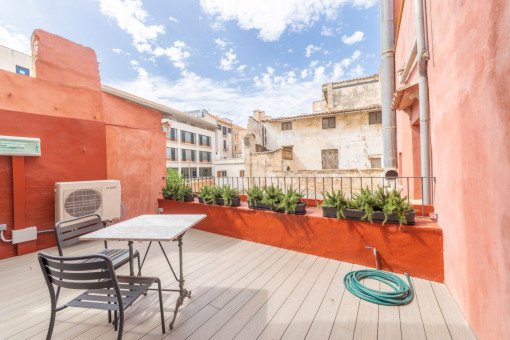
pixel 75 199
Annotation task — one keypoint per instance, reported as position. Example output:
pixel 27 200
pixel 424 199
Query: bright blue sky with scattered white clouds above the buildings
pixel 228 56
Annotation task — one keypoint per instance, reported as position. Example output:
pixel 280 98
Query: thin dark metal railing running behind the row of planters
pixel 314 187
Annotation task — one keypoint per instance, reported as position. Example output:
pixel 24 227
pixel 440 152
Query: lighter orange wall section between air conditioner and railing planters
pixel 136 156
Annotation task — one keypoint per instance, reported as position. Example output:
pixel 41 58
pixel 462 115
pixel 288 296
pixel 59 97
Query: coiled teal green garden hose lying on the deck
pixel 402 293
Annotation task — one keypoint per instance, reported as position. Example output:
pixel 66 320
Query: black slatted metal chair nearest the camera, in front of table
pixel 105 290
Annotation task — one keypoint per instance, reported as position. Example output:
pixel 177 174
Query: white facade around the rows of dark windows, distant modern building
pixel 179 146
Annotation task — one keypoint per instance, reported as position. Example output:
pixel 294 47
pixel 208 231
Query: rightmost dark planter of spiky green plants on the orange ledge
pixel 381 206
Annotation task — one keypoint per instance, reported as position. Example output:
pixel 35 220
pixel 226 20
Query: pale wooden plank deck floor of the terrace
pixel 240 290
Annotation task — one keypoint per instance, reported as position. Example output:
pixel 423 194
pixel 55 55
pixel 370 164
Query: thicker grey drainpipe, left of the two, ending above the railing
pixel 388 85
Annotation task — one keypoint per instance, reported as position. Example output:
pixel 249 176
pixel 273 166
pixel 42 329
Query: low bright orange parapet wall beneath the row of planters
pixel 416 250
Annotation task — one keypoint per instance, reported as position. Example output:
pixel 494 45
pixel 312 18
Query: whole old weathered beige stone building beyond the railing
pixel 344 135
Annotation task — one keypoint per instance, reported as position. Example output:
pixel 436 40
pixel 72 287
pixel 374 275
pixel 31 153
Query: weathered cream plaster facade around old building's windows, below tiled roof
pixel 355 139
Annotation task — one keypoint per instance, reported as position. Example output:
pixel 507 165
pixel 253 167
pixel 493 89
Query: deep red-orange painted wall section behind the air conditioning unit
pixel 72 150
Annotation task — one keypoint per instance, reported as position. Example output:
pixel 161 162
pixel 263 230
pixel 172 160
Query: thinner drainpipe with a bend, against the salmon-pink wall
pixel 423 56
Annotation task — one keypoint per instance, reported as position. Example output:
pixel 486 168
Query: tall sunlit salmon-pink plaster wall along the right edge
pixel 469 77
